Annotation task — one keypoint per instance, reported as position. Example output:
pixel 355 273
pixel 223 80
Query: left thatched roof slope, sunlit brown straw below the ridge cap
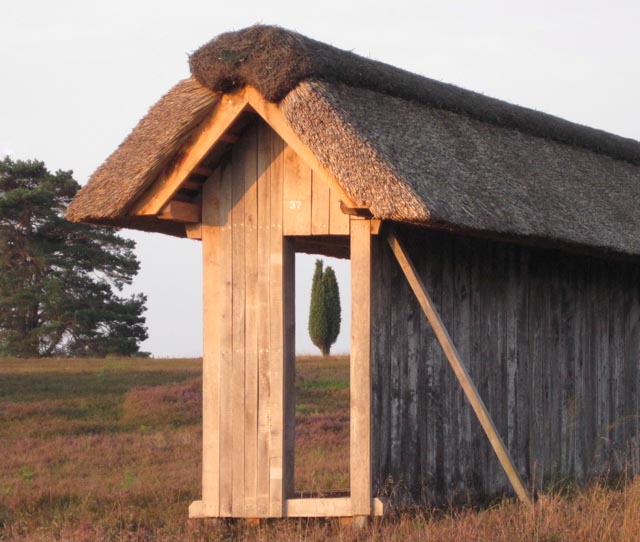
pixel 135 164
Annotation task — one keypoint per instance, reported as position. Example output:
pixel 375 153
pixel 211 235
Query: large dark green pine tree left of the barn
pixel 57 279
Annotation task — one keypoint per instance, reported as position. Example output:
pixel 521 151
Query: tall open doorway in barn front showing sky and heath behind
pixel 322 393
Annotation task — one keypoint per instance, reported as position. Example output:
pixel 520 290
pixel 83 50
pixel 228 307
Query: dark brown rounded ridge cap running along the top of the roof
pixel 275 61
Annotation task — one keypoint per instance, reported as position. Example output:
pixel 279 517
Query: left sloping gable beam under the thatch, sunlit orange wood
pixel 223 116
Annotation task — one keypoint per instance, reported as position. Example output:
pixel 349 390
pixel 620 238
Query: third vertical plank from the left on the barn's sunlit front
pixel 239 321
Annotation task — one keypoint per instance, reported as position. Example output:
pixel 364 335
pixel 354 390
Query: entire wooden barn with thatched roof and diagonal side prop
pixel 516 233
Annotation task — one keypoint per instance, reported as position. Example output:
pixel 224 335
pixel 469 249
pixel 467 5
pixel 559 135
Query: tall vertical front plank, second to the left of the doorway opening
pixel 264 376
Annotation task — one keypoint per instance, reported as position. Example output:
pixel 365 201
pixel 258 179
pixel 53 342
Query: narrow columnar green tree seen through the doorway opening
pixel 324 311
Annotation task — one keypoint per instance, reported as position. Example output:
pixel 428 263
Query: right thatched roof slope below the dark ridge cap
pixel 411 163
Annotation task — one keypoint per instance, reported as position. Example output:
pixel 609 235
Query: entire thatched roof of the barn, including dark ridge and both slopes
pixel 409 148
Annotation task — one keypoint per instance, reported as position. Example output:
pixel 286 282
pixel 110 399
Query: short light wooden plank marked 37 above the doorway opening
pixel 296 215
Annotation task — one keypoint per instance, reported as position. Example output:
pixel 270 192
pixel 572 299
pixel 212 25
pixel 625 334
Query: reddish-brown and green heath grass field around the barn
pixel 110 450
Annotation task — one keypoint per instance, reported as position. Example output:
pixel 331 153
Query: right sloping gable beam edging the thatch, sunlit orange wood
pixel 272 114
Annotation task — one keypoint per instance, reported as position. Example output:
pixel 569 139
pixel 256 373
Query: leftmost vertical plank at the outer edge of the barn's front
pixel 213 319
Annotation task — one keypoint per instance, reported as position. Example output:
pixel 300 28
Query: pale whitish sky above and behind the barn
pixel 76 76
